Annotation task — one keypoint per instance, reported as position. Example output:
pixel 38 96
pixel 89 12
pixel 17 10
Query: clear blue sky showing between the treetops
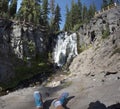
pixel 63 3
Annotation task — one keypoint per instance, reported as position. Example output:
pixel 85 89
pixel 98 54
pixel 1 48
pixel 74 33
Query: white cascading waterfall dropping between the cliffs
pixel 65 49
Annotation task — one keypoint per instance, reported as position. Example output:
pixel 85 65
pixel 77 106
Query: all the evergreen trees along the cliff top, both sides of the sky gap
pixel 46 14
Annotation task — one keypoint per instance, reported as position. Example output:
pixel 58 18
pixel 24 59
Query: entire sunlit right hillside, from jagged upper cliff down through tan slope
pixel 102 60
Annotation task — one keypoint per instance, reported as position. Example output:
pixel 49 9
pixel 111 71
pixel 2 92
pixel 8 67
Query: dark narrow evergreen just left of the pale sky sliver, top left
pixel 13 8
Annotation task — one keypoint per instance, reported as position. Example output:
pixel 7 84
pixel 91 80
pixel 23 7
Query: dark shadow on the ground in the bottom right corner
pixel 99 105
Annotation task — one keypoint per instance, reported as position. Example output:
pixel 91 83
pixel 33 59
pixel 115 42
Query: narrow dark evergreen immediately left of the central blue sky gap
pixel 57 18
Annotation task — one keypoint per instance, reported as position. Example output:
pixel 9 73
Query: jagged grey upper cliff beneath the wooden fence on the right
pixel 104 24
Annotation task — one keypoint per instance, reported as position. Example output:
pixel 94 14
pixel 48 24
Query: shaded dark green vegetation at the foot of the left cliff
pixel 24 72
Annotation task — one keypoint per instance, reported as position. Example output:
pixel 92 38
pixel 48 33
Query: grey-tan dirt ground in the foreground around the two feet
pixel 82 95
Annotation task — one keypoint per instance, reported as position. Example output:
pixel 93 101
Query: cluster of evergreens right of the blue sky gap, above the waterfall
pixel 77 15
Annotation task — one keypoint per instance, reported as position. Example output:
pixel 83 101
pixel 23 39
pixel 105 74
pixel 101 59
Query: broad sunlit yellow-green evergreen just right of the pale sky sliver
pixel 30 11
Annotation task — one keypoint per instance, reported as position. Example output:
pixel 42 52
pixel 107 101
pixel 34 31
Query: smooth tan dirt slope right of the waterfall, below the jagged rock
pixel 103 58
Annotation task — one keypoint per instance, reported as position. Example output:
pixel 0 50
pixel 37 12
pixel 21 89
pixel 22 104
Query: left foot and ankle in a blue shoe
pixel 38 100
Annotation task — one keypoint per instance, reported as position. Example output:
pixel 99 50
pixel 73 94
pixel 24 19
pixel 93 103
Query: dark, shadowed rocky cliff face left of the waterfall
pixel 17 40
